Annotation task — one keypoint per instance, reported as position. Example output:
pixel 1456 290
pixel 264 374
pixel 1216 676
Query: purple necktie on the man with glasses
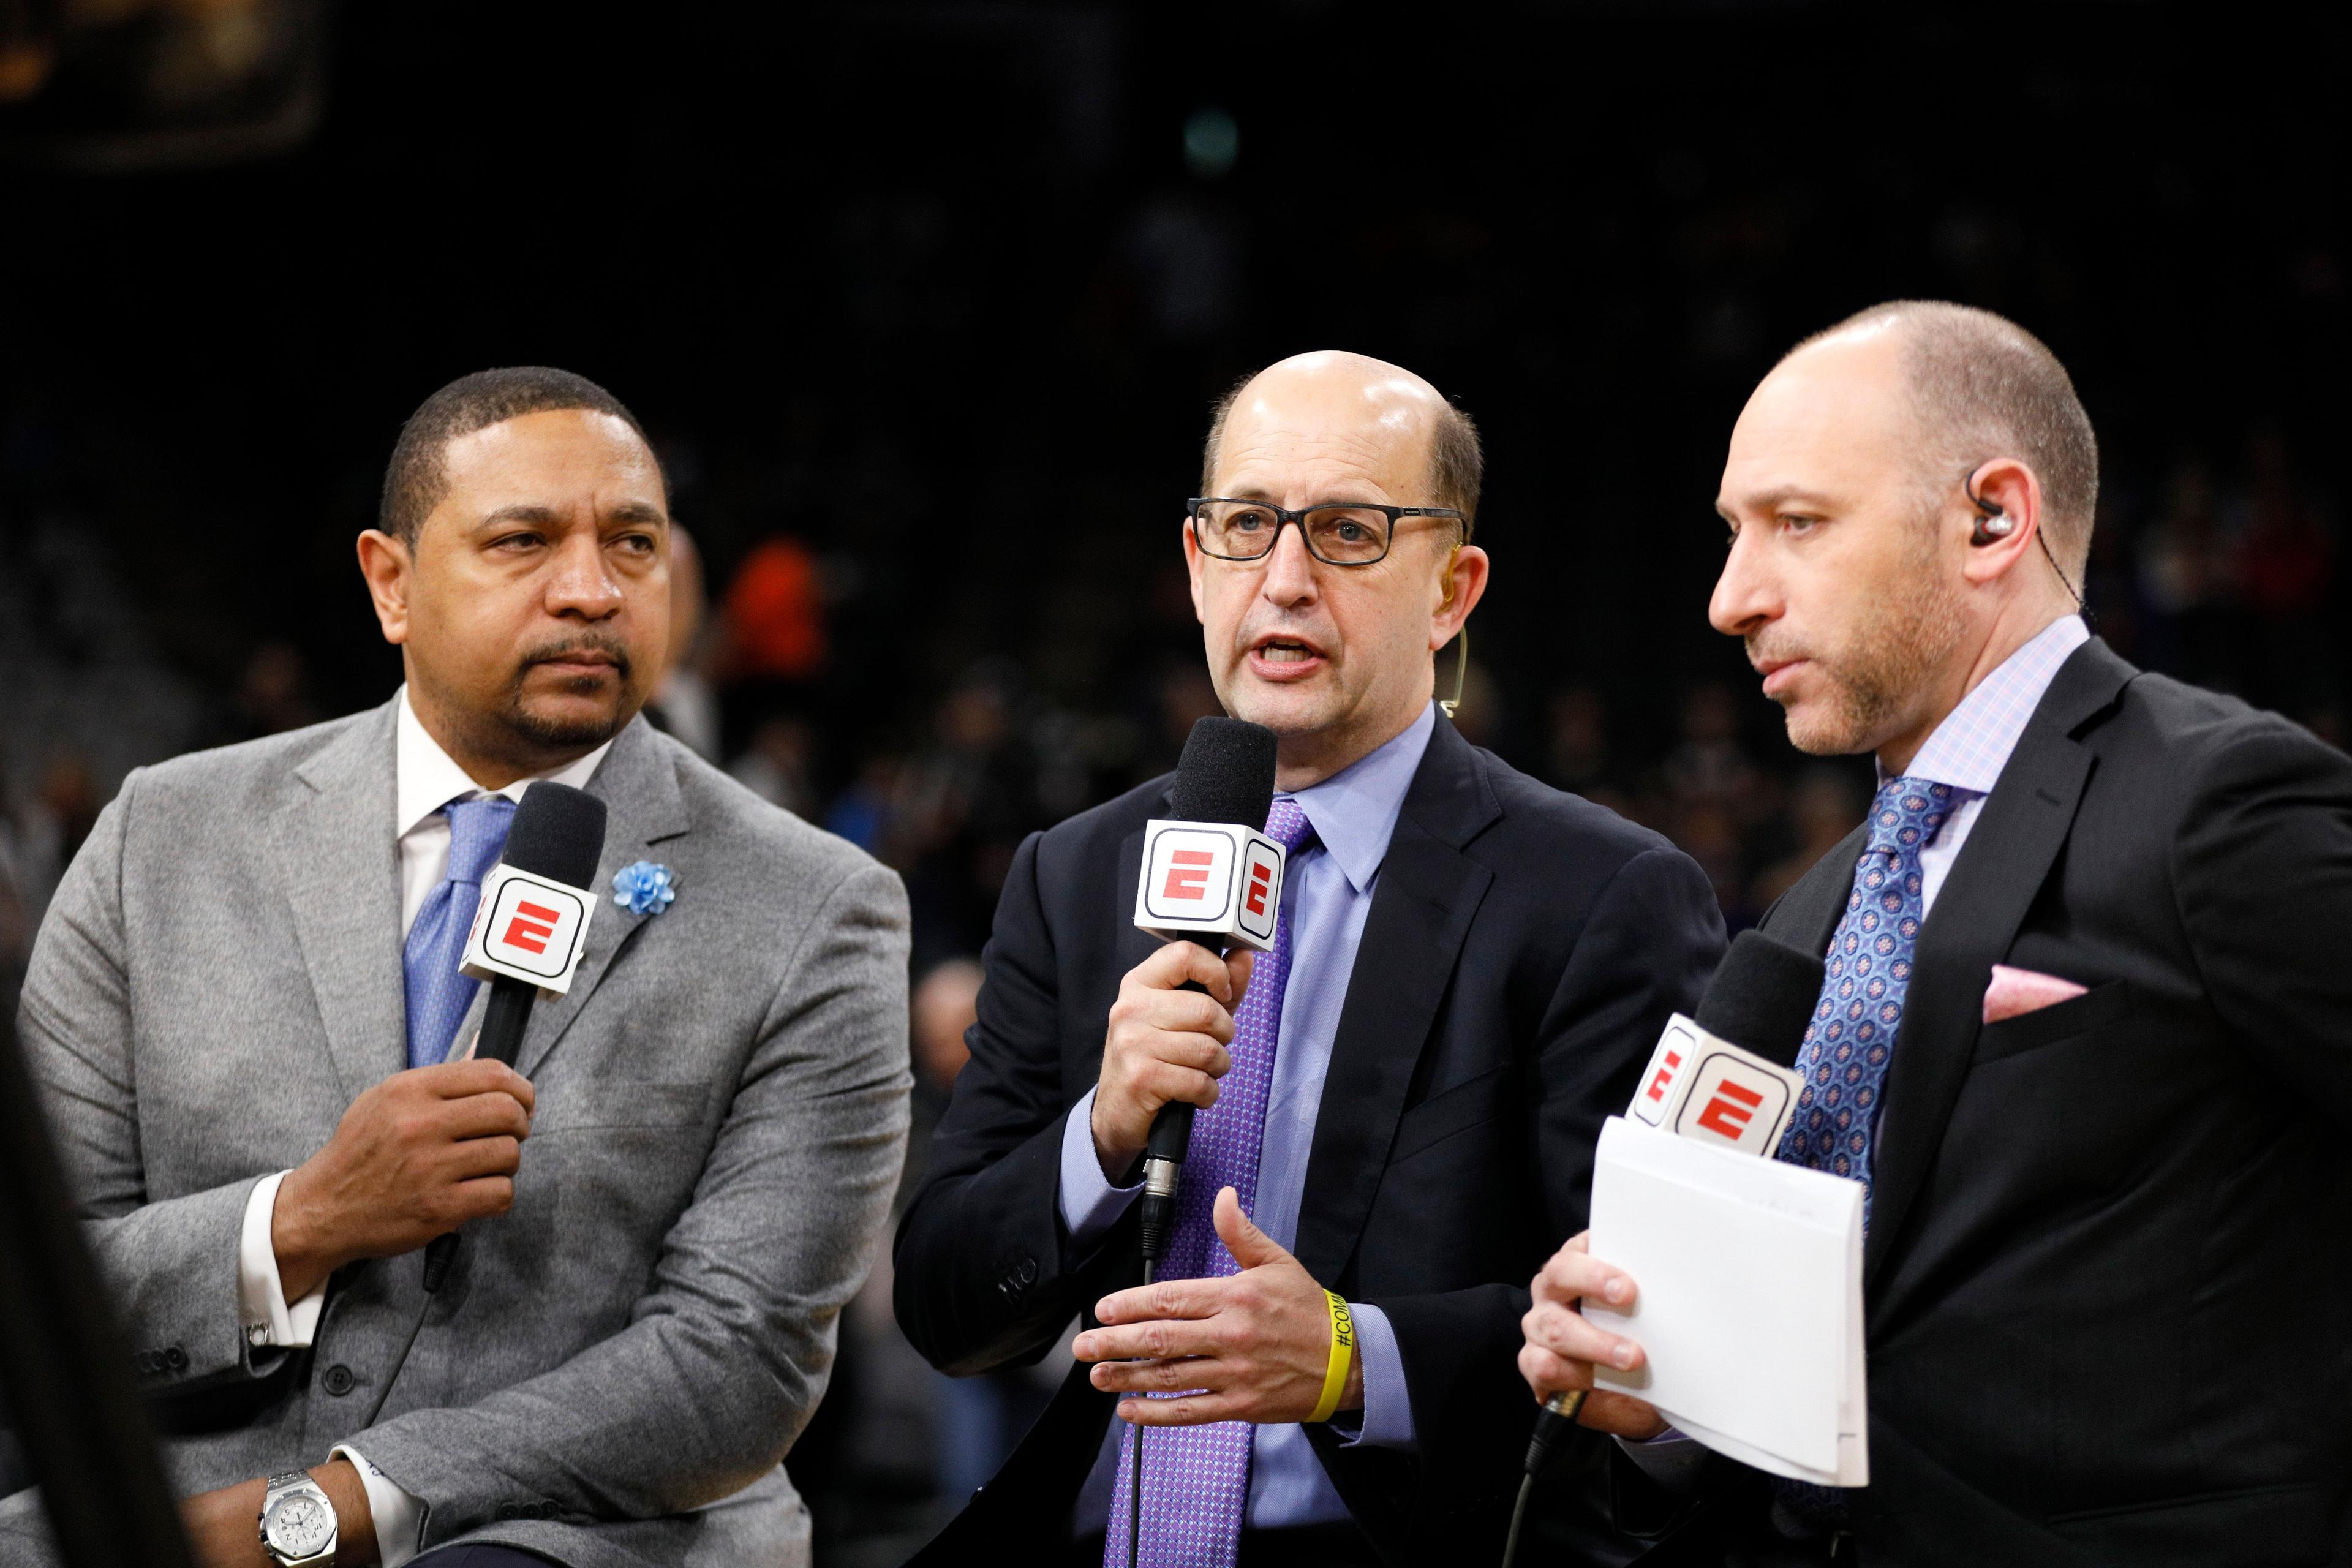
pixel 1196 1480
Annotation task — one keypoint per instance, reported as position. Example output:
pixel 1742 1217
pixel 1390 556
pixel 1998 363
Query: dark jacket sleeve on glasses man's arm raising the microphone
pixel 984 1271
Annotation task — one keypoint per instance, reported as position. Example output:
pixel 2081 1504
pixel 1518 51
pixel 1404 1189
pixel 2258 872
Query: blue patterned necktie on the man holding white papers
pixel 1852 1038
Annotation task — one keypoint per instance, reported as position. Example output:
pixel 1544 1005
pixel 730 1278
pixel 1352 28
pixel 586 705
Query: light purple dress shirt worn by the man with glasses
pixel 1328 892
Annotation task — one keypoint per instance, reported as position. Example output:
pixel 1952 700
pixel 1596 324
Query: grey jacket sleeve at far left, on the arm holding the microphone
pixel 171 1264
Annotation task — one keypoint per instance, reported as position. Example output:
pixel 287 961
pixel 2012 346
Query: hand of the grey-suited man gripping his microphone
pixel 417 1155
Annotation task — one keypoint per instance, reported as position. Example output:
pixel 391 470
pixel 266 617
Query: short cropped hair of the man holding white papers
pixel 1982 389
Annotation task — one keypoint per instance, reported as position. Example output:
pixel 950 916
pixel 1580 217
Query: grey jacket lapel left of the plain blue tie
pixel 340 866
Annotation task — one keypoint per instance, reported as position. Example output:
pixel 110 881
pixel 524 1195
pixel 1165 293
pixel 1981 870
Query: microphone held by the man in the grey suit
pixel 530 930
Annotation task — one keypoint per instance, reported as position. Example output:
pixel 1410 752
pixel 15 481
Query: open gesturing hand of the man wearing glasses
pixel 1255 1343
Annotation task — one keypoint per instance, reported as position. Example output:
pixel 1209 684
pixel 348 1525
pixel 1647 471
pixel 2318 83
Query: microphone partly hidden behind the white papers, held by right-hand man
pixel 1702 1085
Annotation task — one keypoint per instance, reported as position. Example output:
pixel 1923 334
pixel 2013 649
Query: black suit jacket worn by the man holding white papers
pixel 2106 1273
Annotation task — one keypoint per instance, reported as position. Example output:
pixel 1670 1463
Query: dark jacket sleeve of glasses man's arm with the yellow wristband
pixel 1645 951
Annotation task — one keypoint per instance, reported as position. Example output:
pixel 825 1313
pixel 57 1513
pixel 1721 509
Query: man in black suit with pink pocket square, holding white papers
pixel 2087 1024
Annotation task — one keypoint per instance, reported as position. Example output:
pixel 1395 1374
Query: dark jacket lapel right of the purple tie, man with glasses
pixel 1422 911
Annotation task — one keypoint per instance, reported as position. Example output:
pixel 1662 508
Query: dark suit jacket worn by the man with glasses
pixel 1521 956
